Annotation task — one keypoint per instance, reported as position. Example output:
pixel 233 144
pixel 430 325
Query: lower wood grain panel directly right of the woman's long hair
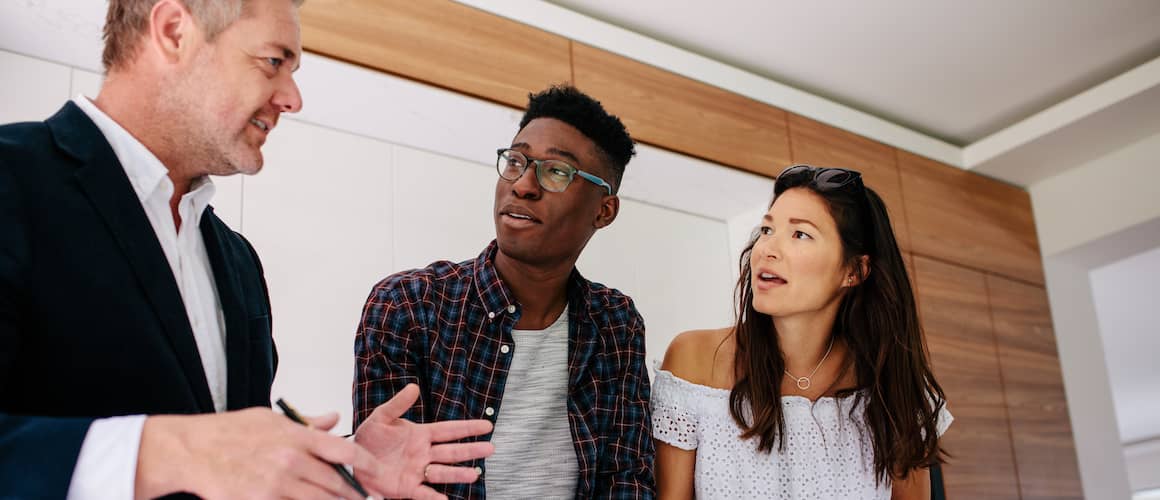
pixel 958 323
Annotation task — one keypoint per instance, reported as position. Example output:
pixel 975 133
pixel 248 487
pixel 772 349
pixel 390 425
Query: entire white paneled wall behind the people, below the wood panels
pixel 381 175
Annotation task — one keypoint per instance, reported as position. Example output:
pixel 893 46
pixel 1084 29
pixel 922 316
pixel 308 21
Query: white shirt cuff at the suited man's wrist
pixel 107 465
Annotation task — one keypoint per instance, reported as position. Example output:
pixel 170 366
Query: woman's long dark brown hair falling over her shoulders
pixel 878 320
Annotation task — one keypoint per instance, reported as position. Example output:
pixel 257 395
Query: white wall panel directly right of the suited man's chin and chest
pixel 320 215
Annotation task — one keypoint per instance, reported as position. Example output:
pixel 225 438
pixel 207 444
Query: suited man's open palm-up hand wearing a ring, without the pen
pixel 411 454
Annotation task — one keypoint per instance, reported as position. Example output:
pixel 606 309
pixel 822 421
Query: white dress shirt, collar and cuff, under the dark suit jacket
pixel 107 465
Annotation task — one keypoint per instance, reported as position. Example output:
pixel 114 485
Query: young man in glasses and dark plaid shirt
pixel 518 336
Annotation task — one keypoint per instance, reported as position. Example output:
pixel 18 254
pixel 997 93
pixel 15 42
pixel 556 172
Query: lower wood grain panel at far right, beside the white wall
pixel 1033 381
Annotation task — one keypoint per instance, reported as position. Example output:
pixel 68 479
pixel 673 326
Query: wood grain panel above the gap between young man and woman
pixel 679 114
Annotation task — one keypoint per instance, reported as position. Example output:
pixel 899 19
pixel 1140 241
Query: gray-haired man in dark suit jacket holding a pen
pixel 125 302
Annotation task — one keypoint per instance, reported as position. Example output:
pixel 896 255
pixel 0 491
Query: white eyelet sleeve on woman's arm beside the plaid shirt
pixel 675 419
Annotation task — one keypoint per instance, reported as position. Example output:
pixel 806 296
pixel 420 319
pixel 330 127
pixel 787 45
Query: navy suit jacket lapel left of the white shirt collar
pixel 104 182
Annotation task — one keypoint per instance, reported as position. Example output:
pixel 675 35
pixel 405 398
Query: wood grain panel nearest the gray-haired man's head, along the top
pixel 439 42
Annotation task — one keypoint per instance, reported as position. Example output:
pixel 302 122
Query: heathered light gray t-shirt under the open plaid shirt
pixel 535 458
